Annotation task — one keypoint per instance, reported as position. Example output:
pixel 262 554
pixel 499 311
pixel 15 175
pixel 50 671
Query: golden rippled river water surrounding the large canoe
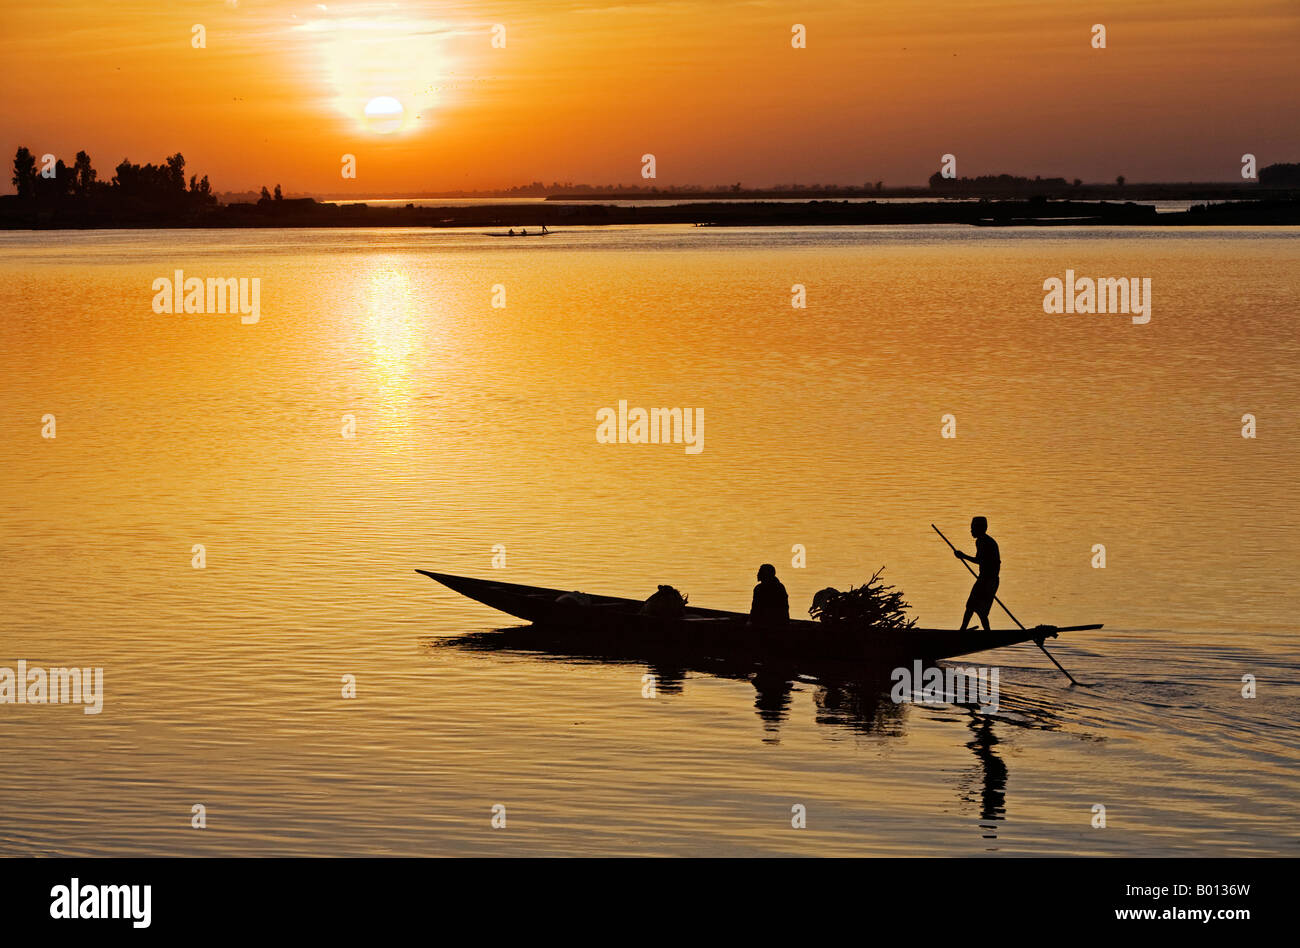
pixel 475 427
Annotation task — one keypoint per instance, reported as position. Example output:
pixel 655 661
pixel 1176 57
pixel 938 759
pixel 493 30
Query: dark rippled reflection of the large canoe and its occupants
pixel 860 702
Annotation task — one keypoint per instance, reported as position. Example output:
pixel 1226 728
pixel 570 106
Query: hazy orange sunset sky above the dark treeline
pixel 713 89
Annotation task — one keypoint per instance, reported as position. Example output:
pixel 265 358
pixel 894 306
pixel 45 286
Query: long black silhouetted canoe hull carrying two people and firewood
pixel 601 622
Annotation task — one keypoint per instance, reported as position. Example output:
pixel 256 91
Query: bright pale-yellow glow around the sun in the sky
pixel 385 73
